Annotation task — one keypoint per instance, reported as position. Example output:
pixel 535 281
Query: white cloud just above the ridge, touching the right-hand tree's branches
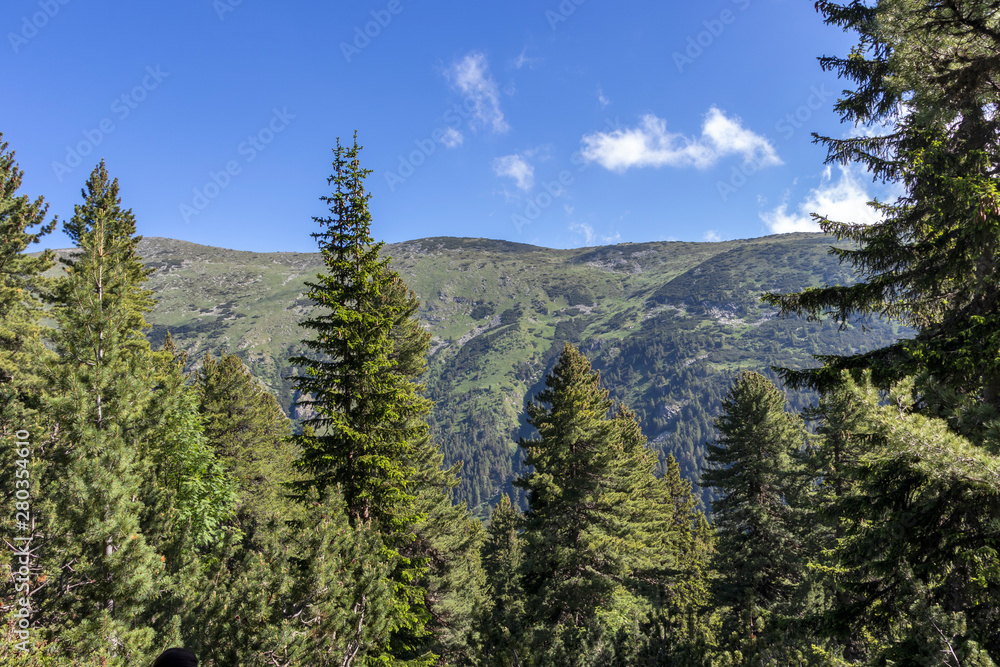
pixel 845 200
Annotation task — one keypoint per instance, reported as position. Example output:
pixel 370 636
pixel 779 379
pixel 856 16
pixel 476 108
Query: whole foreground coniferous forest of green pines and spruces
pixel 152 507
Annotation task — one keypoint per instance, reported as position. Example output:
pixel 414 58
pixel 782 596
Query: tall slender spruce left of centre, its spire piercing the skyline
pixel 366 412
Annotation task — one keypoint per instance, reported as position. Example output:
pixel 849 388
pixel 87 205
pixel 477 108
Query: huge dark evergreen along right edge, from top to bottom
pixel 926 78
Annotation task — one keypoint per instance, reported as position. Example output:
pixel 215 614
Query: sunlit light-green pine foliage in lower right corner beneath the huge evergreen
pixel 916 557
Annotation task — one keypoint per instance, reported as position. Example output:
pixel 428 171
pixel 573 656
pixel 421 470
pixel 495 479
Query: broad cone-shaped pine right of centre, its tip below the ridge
pixel 592 534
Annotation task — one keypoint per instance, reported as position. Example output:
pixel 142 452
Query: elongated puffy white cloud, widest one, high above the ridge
pixel 650 145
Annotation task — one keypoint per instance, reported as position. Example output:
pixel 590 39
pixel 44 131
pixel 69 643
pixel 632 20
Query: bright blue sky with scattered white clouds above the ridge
pixel 559 123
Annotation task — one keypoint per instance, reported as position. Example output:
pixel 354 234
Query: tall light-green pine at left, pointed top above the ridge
pixel 102 566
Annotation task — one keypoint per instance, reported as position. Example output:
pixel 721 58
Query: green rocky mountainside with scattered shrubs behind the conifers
pixel 668 324
